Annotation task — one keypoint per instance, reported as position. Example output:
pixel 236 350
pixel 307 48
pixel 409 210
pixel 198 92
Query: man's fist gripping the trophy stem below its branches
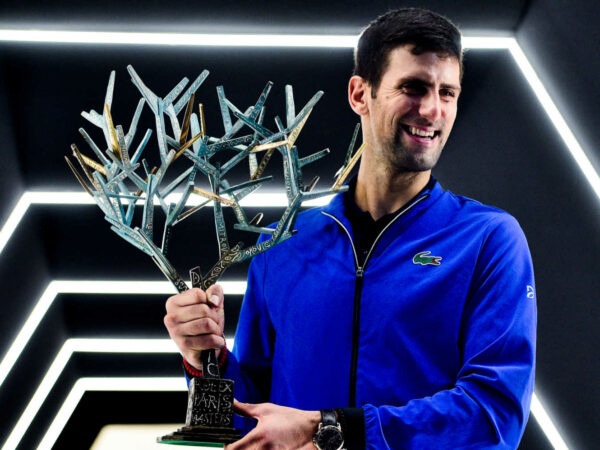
pixel 196 321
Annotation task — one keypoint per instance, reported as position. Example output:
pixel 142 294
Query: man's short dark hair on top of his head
pixel 426 30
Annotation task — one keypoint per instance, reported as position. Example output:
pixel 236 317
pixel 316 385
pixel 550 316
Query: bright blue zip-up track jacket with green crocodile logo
pixel 434 337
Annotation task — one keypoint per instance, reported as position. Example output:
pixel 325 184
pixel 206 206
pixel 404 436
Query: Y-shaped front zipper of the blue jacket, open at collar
pixel 360 270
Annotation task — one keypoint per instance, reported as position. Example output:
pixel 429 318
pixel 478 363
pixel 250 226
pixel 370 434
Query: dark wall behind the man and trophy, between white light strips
pixel 503 151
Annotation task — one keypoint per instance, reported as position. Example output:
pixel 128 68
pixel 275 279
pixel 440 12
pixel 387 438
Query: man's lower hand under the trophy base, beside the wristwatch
pixel 278 427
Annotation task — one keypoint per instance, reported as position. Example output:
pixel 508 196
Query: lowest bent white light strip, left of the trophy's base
pixel 84 385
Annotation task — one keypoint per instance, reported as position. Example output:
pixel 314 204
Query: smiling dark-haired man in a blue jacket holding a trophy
pixel 400 311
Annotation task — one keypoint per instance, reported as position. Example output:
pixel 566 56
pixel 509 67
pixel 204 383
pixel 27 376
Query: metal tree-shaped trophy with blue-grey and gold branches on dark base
pixel 121 179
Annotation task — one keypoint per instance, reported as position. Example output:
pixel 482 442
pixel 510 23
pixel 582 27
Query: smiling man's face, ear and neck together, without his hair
pixel 406 119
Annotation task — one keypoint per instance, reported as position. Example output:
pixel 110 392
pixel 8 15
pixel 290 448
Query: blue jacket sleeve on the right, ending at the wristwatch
pixel 488 405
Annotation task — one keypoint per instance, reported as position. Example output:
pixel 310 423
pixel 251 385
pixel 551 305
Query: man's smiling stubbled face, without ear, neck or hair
pixel 414 109
